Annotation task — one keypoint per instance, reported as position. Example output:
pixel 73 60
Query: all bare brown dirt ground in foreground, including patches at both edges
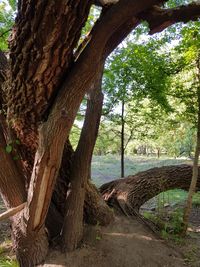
pixel 125 243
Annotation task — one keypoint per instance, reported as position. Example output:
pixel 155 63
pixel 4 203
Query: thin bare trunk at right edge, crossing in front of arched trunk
pixel 191 192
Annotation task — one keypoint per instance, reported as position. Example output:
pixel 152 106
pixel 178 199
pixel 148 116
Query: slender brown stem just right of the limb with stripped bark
pixel 73 221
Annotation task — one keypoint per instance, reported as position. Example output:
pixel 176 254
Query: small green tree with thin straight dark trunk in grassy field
pixel 129 78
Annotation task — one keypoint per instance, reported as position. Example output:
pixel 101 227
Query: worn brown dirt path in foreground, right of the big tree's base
pixel 125 243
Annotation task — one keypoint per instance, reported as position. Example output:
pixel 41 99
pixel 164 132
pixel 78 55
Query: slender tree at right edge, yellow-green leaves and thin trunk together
pixel 190 48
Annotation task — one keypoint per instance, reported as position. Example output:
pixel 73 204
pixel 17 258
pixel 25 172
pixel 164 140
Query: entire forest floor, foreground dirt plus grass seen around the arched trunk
pixel 126 242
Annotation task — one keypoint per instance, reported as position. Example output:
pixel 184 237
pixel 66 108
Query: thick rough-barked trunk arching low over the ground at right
pixel 130 193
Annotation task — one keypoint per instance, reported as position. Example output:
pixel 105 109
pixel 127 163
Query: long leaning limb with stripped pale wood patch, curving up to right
pixel 53 133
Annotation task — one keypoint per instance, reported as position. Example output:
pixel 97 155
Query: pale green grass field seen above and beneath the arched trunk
pixel 107 168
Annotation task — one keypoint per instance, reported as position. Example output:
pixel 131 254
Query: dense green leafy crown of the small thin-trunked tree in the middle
pixel 136 71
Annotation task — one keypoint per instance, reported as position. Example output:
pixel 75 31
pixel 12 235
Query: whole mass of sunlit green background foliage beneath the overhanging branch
pixel 157 80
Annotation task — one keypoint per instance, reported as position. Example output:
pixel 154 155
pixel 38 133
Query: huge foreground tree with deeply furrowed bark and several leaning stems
pixel 44 87
